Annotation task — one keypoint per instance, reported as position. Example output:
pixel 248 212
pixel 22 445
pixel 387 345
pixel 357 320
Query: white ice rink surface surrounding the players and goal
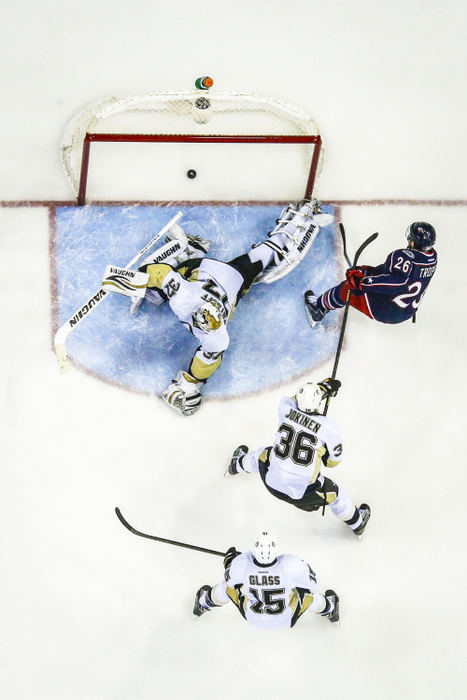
pixel 90 612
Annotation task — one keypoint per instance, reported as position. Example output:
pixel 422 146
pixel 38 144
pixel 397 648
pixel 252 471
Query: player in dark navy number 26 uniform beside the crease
pixel 391 292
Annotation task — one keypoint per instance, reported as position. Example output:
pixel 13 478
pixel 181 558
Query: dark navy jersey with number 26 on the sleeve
pixel 395 289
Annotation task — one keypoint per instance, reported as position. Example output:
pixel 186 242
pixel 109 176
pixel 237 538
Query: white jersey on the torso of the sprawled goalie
pixel 216 280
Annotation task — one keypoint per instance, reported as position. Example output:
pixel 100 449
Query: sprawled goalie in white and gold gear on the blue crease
pixel 203 292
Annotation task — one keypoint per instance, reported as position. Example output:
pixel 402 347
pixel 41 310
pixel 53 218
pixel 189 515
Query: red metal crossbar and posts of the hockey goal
pixel 198 138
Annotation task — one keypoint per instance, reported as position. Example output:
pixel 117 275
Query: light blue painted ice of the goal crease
pixel 271 341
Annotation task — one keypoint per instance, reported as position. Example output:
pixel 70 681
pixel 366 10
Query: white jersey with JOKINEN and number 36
pixel 303 442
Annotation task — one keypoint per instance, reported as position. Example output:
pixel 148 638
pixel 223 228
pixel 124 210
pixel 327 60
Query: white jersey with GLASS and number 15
pixel 272 596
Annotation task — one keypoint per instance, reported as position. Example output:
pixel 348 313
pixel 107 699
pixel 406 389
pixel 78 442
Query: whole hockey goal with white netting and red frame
pixel 237 147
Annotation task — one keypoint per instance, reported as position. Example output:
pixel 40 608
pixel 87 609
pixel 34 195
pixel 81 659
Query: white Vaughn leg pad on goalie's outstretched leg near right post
pixel 292 238
